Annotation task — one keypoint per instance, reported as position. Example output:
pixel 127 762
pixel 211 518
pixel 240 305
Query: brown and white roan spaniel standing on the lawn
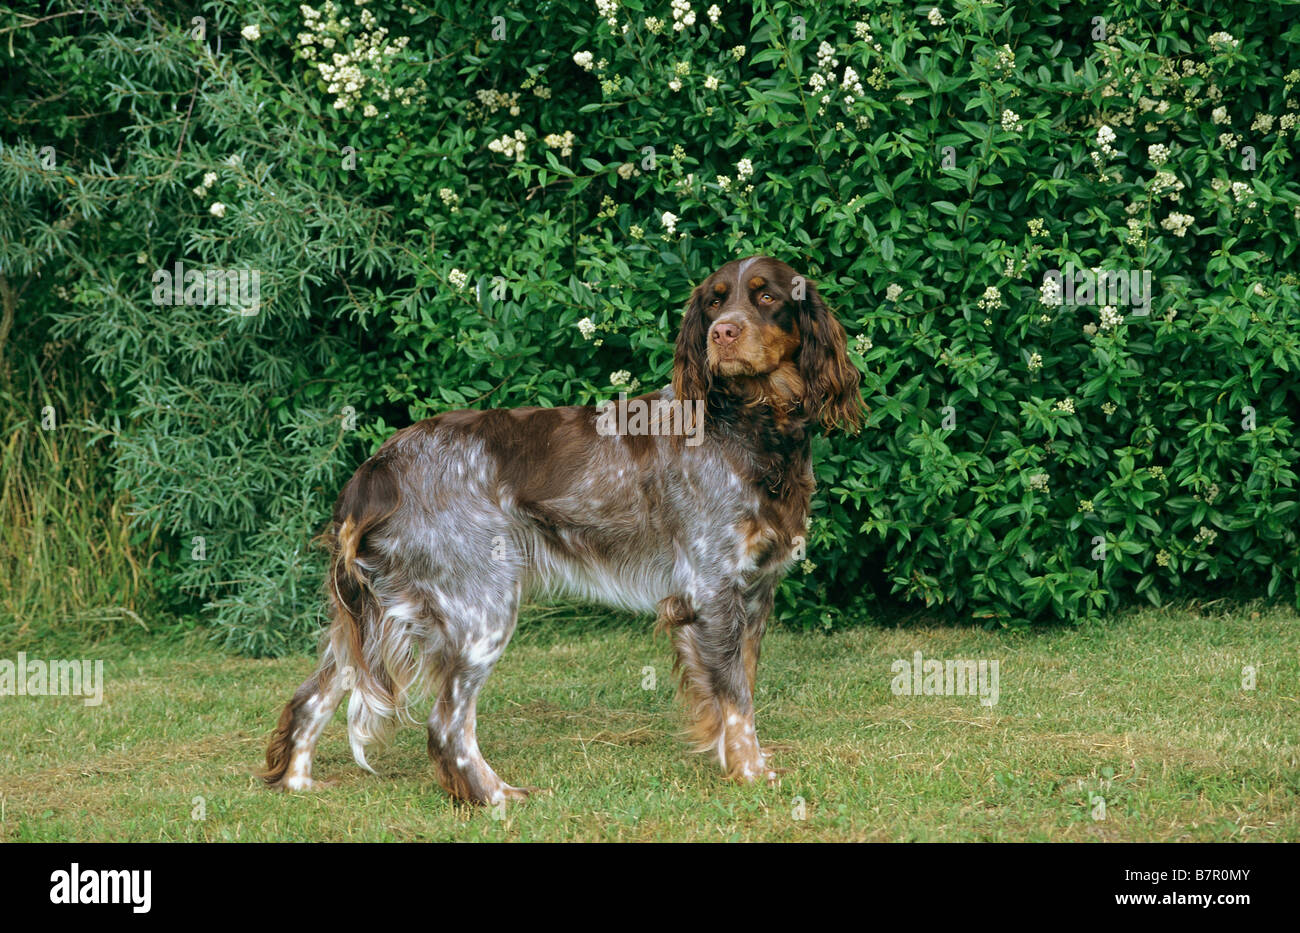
pixel 692 504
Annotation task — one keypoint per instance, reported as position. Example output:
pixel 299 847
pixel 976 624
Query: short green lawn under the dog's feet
pixel 1146 710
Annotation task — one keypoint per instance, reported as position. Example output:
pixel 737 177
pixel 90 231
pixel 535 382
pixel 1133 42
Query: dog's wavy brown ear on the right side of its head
pixel 830 377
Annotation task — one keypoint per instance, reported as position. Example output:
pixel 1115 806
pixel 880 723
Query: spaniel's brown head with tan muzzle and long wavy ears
pixel 760 328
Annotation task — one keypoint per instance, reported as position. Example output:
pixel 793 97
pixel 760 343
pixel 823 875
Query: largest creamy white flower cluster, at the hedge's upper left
pixel 363 62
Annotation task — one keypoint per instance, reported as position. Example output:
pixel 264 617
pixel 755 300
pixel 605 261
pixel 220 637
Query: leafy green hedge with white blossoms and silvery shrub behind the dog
pixel 509 206
